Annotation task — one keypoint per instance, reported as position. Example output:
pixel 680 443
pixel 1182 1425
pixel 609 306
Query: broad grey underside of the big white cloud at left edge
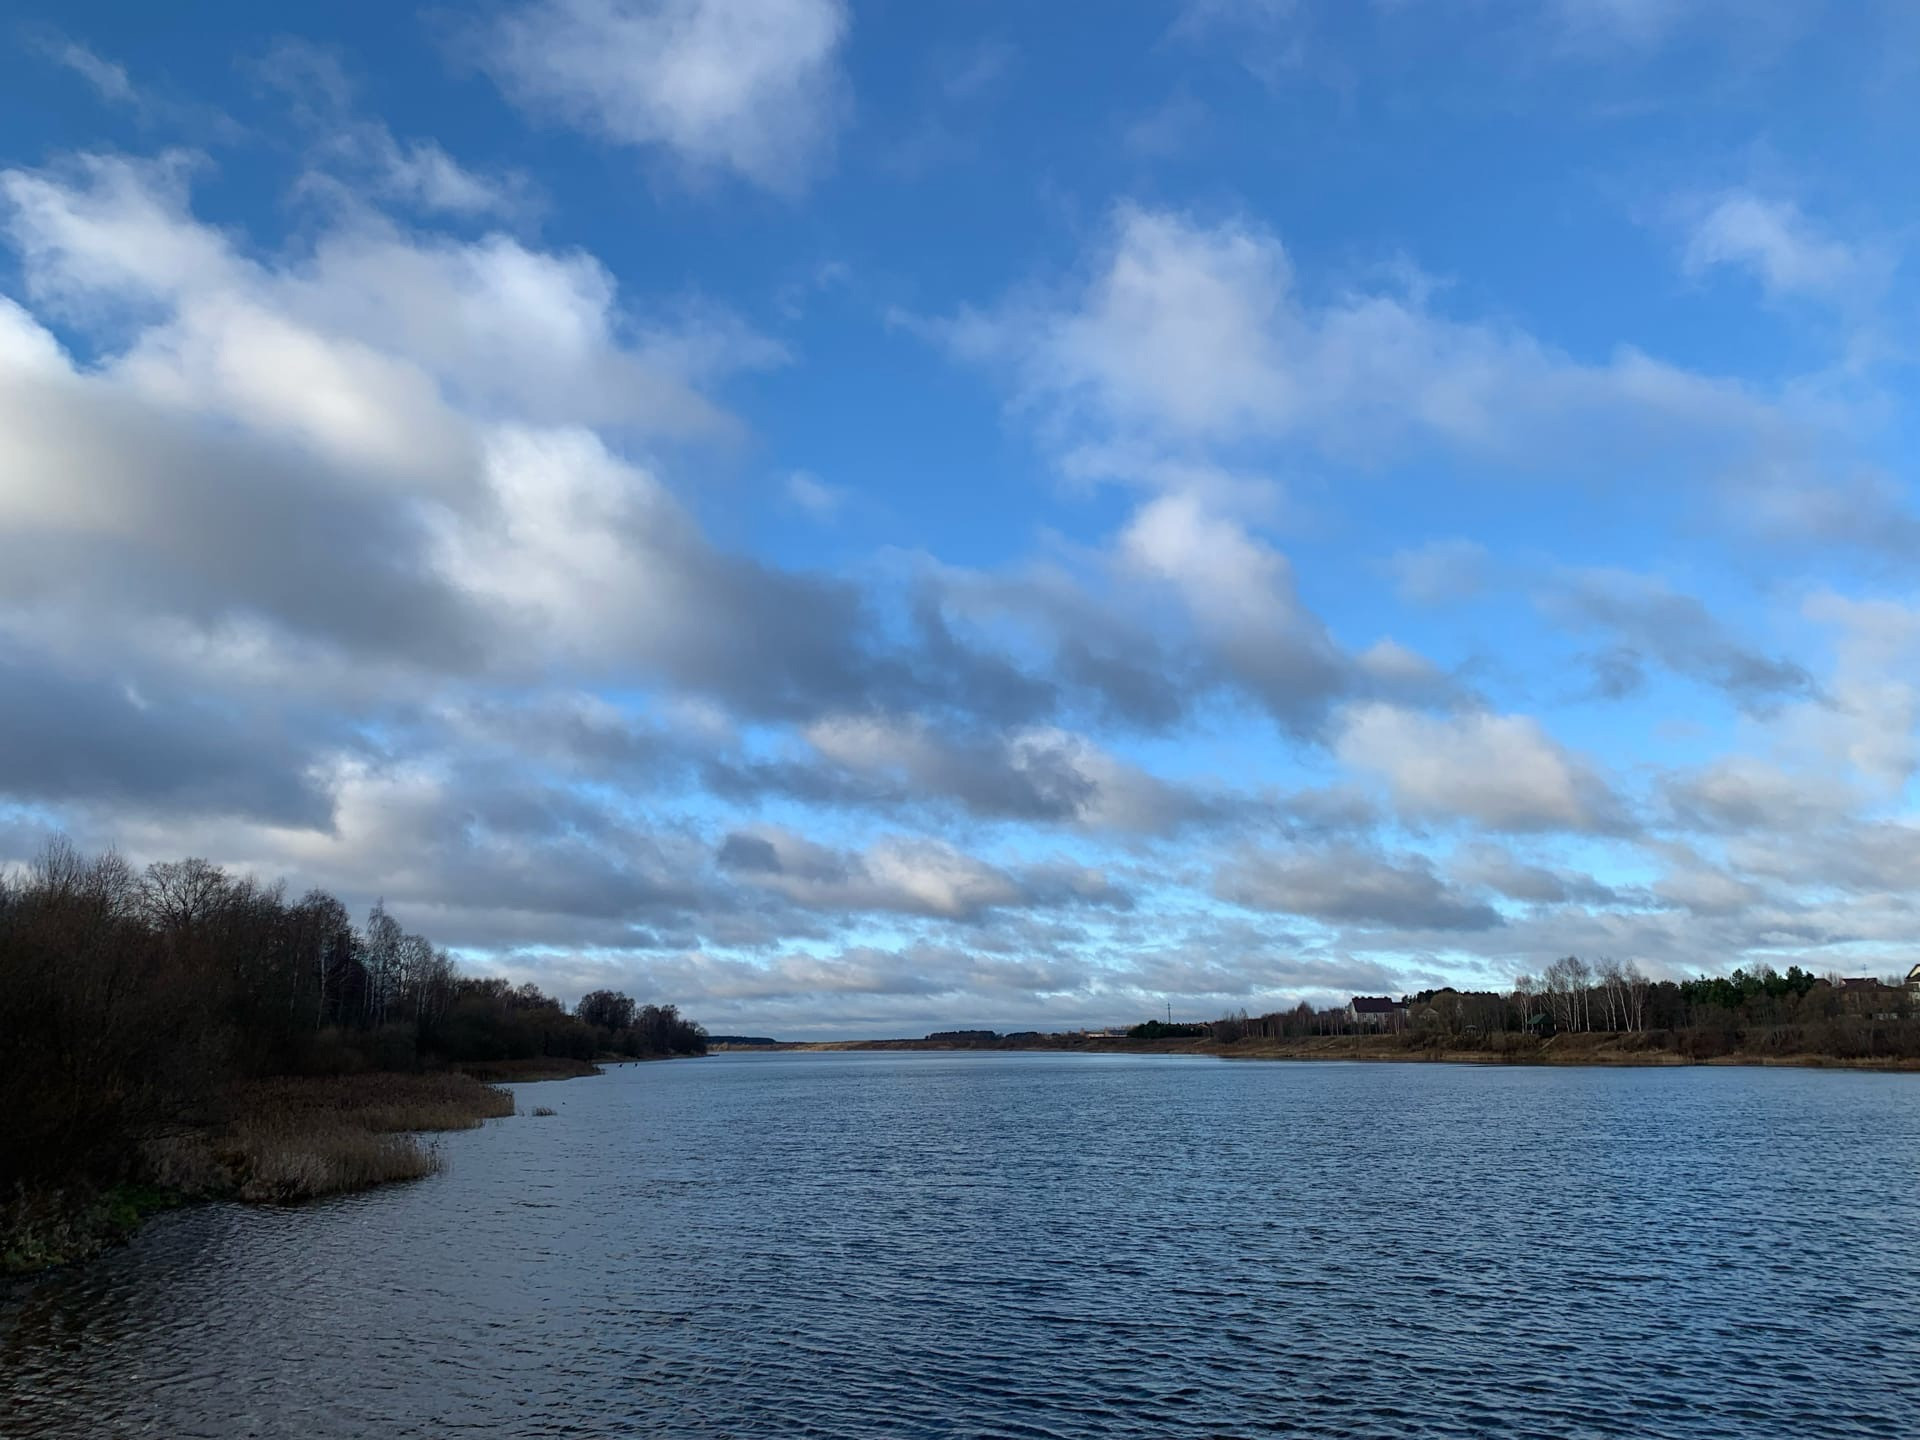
pixel 135 510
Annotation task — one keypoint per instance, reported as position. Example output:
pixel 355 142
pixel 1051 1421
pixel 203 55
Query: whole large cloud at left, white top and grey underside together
pixel 427 410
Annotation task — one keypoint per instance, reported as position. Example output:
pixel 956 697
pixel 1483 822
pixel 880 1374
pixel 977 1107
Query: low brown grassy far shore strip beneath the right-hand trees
pixel 1591 1049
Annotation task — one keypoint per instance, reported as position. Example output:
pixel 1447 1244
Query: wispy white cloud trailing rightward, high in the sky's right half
pixel 1195 335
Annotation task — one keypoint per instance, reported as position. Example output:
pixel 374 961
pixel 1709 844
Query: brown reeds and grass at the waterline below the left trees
pixel 277 1141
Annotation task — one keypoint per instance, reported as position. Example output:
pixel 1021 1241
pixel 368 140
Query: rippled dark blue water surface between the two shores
pixel 1034 1245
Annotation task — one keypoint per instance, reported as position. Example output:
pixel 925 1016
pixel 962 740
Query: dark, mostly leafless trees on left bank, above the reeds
pixel 132 1001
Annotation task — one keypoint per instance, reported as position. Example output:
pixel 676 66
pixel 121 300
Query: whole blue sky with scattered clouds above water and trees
pixel 863 517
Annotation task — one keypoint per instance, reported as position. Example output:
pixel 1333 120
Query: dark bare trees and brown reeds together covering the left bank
pixel 185 1032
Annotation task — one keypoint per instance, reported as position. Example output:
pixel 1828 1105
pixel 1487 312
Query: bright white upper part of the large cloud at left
pixel 489 325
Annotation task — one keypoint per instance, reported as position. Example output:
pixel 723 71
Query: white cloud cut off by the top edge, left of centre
pixel 719 85
